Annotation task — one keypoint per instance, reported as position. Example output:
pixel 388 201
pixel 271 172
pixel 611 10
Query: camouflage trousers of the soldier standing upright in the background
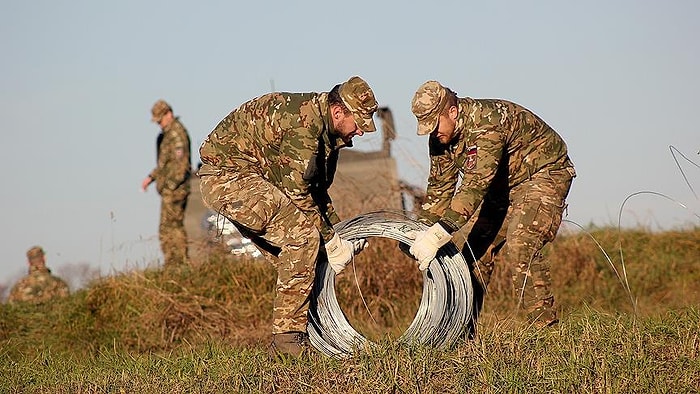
pixel 171 232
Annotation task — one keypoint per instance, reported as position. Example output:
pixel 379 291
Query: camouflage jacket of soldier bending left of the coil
pixel 287 138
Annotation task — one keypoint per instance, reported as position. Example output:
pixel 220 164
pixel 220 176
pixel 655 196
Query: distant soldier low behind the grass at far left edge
pixel 40 285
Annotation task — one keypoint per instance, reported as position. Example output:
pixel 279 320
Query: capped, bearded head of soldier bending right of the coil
pixel 435 108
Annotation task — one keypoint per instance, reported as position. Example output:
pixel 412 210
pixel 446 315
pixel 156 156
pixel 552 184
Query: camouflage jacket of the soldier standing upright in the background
pixel 173 170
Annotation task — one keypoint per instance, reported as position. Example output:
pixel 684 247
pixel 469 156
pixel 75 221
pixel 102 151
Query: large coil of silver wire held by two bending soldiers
pixel 446 305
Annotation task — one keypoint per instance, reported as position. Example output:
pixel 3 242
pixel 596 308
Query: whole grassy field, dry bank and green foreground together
pixel 204 328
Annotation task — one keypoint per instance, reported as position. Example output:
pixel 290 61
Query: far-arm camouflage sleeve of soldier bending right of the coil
pixel 442 183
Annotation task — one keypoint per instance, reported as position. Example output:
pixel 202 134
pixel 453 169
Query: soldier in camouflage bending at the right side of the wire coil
pixel 514 167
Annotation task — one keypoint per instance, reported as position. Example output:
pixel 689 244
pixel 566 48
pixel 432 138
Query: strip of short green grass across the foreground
pixel 588 352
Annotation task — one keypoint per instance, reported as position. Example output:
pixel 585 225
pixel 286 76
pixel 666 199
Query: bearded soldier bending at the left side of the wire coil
pixel 267 167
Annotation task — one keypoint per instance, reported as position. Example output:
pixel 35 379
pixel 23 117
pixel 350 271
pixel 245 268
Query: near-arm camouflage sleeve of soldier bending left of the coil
pixel 299 145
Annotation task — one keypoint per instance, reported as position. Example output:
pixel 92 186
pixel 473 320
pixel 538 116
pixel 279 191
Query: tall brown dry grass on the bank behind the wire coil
pixel 229 298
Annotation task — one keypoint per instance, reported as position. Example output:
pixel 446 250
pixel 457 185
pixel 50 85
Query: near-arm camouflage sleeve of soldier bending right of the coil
pixel 480 171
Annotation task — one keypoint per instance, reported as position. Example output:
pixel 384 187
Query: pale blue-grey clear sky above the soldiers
pixel 617 79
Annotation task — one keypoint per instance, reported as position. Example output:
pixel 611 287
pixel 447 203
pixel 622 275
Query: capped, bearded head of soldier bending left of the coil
pixel 352 105
